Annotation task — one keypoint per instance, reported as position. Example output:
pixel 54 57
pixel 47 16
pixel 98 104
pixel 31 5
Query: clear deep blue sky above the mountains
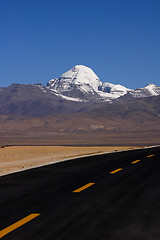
pixel 118 39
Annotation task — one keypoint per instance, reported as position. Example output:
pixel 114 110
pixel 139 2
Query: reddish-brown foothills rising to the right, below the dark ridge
pixel 140 114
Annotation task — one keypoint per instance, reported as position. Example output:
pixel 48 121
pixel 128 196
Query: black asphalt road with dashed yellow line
pixel 112 196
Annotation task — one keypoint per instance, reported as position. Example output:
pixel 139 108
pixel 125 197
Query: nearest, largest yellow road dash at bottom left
pixel 18 224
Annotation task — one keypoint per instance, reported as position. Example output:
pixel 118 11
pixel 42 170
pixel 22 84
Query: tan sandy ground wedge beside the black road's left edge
pixel 18 158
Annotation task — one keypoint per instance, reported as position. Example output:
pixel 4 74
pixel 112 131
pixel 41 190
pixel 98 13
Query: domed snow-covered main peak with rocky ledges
pixel 82 84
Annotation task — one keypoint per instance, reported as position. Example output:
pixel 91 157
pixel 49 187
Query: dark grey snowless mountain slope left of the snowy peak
pixel 34 100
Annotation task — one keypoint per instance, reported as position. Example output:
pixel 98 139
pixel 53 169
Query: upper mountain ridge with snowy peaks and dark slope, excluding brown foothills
pixel 77 90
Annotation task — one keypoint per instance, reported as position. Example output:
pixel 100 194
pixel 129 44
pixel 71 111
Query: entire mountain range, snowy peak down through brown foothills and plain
pixel 78 109
